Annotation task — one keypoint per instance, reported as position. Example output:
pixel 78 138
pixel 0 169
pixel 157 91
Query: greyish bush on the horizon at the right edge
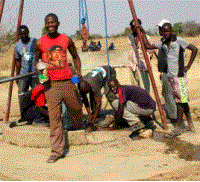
pixel 191 28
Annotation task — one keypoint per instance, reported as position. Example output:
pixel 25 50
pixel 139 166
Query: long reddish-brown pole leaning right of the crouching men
pixel 163 118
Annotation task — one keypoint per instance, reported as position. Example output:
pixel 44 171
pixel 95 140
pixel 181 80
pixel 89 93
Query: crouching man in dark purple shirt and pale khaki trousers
pixel 135 105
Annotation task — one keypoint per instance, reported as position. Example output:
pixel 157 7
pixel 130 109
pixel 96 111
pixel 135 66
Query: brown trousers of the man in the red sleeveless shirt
pixel 55 93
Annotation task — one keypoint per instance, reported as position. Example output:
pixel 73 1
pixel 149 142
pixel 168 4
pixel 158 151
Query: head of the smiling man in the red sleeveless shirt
pixel 51 24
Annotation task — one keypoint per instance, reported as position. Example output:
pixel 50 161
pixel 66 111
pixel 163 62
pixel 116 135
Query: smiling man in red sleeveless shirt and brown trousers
pixel 59 86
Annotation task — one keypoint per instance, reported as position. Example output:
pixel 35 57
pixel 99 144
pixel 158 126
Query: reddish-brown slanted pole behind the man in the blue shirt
pixel 14 62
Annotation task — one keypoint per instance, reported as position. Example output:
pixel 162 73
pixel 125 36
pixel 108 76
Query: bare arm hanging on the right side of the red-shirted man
pixel 76 58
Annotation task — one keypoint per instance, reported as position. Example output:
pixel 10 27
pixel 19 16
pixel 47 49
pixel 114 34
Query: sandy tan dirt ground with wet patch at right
pixel 151 159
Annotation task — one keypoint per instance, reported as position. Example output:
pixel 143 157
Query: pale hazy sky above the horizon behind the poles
pixel 118 14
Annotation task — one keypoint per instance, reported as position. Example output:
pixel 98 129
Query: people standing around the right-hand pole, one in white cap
pixel 172 68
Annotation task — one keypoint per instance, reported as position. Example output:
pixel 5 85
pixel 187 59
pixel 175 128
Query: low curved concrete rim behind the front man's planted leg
pixel 30 136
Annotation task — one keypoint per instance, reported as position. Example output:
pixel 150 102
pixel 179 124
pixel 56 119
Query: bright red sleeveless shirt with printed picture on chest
pixel 54 54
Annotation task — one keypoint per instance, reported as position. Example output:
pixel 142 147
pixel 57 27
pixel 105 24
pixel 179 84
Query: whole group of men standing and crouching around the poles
pixel 132 104
